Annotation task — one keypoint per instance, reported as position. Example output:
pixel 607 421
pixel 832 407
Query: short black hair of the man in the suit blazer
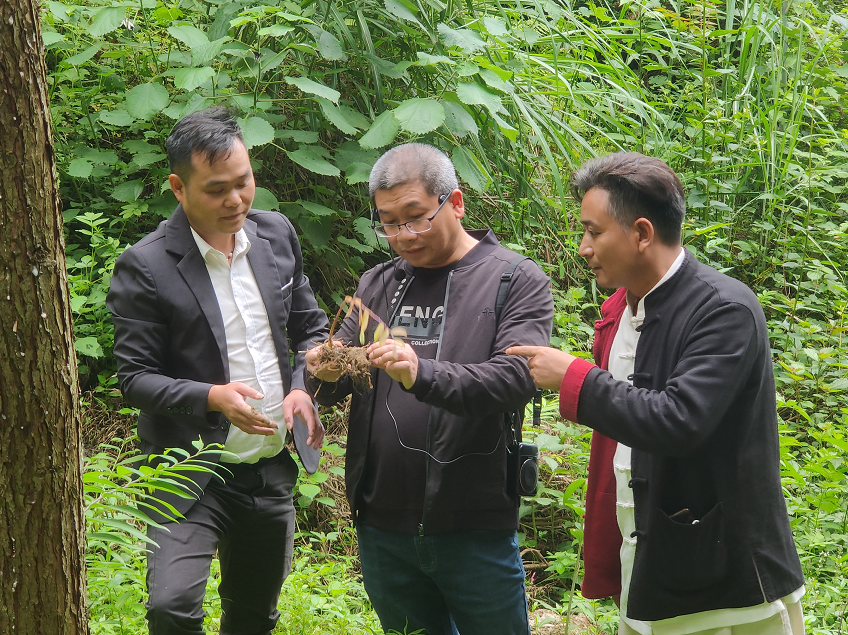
pixel 212 133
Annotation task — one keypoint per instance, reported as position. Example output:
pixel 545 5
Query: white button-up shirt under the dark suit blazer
pixel 250 346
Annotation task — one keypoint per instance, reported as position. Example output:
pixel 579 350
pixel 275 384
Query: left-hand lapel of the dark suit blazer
pixel 179 241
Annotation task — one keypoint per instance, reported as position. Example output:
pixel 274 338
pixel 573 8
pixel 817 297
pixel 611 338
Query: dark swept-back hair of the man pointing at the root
pixel 639 187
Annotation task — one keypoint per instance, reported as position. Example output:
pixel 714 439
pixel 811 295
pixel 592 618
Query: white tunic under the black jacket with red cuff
pixel 621 365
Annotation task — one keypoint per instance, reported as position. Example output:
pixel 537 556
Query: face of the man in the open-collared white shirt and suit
pixel 217 197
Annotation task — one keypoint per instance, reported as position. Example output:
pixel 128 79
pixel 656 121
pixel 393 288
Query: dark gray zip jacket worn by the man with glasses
pixel 470 386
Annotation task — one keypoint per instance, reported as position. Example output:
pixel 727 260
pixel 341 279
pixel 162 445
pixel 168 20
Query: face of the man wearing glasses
pixel 434 248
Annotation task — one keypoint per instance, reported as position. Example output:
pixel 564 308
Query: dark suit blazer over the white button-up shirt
pixel 170 344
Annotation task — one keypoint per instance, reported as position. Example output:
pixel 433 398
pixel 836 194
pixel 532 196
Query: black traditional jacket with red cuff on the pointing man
pixel 702 422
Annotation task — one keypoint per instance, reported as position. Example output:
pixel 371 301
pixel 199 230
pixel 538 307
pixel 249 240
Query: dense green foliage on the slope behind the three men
pixel 745 99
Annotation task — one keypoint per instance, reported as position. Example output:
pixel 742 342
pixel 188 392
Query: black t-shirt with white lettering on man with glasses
pixel 394 479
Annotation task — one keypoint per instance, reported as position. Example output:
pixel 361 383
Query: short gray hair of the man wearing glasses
pixel 411 163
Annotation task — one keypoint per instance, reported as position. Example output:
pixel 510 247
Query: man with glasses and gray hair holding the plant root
pixel 427 453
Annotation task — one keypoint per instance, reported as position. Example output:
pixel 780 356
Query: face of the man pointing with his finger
pixel 609 249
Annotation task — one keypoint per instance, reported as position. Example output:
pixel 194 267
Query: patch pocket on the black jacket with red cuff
pixel 687 557
